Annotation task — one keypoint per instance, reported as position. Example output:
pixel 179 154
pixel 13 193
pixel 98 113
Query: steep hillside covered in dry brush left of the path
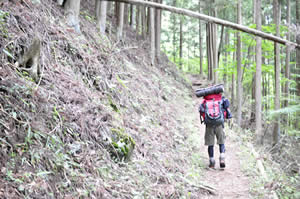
pixel 56 134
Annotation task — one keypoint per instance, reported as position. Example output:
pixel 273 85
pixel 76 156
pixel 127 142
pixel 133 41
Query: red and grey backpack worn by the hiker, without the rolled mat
pixel 211 110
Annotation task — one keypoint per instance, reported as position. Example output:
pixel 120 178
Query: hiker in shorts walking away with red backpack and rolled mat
pixel 213 111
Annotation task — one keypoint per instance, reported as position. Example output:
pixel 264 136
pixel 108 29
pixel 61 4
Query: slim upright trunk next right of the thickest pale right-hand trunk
pixel 277 16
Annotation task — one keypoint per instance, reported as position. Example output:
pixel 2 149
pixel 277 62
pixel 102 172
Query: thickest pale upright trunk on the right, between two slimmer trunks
pixel 258 123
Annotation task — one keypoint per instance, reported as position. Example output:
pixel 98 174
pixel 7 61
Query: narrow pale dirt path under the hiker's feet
pixel 231 182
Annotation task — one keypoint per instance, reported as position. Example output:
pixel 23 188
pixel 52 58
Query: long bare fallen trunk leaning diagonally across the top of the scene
pixel 212 20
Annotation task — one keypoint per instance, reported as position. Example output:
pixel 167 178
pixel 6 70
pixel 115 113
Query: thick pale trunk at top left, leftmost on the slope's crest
pixel 72 8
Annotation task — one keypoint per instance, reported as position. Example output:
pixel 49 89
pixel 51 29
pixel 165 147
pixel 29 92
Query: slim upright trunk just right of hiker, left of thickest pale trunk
pixel 239 90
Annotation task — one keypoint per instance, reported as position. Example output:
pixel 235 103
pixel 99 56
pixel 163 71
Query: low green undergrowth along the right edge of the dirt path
pixel 277 181
